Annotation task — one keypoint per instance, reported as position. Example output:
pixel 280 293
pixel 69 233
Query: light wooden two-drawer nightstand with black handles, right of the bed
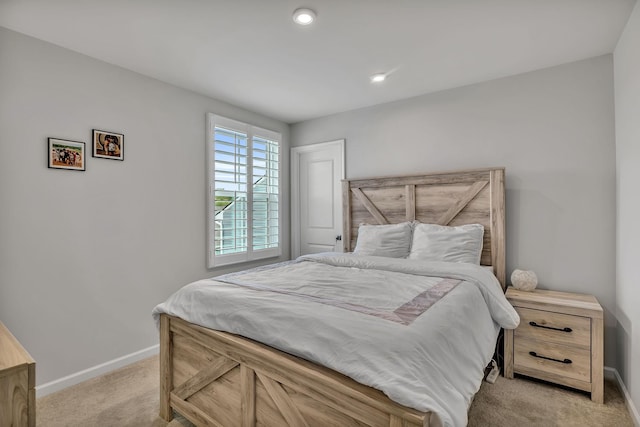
pixel 559 339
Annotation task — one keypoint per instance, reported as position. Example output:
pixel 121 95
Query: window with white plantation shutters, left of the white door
pixel 243 205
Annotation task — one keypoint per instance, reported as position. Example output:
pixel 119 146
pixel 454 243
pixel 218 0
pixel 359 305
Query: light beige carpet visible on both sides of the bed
pixel 130 396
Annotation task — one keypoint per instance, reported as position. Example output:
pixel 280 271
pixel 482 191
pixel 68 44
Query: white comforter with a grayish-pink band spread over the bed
pixel 377 320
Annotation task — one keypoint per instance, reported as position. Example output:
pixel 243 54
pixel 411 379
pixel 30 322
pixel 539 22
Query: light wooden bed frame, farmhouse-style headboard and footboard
pixel 219 379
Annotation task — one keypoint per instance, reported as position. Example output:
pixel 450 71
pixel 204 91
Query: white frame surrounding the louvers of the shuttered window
pixel 213 260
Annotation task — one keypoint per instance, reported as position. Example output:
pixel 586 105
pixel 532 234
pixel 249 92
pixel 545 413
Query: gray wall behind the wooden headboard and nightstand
pixel 552 129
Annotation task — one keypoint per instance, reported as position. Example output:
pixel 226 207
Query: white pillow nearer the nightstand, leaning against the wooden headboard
pixel 433 242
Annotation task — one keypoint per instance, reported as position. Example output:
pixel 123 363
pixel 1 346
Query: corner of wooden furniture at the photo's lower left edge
pixel 17 383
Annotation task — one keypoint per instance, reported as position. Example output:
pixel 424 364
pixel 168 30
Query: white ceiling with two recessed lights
pixel 251 54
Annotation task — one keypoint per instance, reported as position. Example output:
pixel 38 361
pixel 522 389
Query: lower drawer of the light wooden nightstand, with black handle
pixel 554 359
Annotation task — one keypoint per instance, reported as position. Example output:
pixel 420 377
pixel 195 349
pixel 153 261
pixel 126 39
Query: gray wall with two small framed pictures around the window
pixel 85 256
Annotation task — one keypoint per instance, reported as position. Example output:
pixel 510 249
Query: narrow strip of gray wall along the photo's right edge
pixel 627 102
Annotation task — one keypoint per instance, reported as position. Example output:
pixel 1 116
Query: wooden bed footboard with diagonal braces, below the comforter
pixel 219 379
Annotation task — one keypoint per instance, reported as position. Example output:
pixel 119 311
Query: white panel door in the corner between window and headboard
pixel 316 197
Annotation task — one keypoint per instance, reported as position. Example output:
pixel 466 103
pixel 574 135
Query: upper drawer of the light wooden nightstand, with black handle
pixel 554 327
